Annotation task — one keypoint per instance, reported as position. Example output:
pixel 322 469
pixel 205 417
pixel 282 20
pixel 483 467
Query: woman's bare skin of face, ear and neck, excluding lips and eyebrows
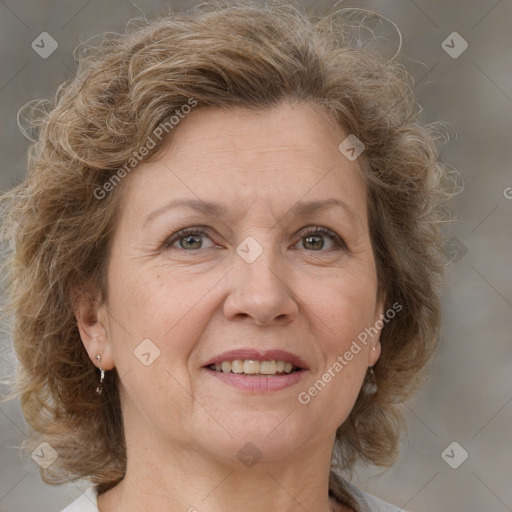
pixel 196 302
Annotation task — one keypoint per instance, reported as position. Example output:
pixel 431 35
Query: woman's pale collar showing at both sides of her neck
pixel 340 489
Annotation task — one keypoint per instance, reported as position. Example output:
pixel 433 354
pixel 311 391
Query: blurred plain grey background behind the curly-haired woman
pixel 468 397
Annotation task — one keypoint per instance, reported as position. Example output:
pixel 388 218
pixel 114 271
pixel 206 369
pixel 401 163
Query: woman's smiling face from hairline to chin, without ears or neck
pixel 258 283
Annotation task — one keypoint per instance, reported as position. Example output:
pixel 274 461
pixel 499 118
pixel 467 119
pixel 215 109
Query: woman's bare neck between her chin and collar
pixel 179 480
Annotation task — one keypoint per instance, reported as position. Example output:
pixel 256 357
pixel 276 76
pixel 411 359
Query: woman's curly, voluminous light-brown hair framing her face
pixel 221 56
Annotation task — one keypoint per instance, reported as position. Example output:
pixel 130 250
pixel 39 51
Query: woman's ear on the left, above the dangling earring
pixel 92 320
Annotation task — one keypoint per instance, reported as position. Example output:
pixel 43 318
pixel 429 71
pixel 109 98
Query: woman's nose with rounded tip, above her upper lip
pixel 260 292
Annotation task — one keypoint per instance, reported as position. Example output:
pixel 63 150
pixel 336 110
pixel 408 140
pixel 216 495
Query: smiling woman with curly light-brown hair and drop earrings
pixel 226 266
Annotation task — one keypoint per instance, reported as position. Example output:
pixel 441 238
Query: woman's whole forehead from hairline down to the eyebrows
pixel 277 156
